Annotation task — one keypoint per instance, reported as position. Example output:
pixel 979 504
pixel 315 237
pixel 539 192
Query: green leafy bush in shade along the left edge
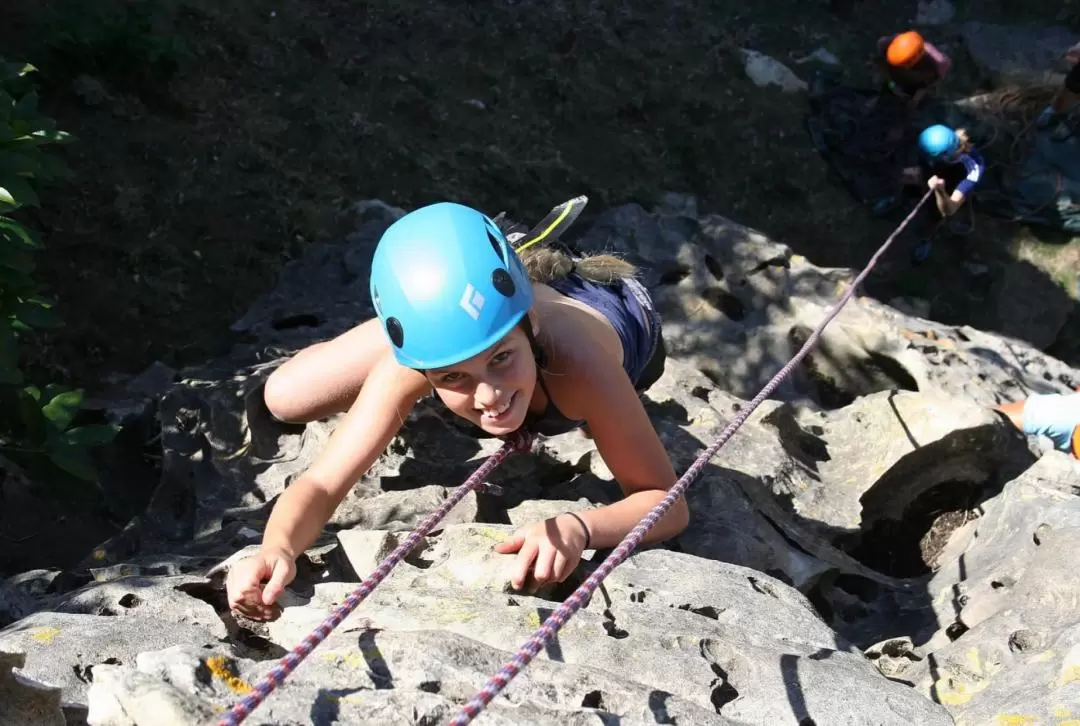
pixel 36 424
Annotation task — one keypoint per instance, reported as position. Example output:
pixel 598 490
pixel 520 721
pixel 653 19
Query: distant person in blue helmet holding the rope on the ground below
pixel 953 168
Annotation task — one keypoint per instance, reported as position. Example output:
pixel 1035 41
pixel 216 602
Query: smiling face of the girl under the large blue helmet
pixel 492 389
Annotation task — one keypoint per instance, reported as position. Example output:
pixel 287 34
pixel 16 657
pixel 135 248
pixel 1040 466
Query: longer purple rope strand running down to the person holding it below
pixel 582 596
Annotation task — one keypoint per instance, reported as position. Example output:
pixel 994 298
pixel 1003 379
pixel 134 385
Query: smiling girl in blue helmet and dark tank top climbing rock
pixel 504 341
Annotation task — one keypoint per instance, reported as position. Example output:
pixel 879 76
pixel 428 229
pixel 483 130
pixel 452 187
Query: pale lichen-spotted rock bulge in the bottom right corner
pixel 1008 580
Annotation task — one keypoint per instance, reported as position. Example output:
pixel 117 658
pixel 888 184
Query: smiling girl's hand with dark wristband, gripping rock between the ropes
pixel 550 549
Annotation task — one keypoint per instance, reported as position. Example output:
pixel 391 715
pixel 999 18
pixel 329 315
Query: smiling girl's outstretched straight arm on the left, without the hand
pixel 385 400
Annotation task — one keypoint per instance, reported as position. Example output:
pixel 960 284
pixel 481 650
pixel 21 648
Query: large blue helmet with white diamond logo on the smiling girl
pixel 447 286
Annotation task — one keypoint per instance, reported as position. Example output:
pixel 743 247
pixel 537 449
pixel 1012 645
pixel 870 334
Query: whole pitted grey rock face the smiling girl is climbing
pixel 853 546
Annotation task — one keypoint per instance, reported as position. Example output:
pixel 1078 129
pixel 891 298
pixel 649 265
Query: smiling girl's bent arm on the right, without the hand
pixel 631 449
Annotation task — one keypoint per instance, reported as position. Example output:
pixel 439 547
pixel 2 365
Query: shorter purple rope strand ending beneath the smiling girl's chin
pixel 519 442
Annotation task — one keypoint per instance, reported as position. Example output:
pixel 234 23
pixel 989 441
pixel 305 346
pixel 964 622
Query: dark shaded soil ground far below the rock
pixel 217 140
